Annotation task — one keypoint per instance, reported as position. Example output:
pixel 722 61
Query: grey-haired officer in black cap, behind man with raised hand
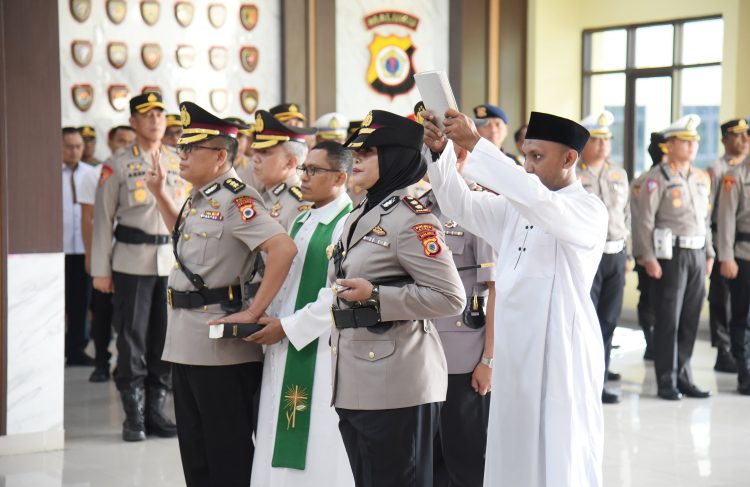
pixel 279 149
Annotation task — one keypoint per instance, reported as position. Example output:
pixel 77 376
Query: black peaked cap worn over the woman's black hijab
pixel 381 128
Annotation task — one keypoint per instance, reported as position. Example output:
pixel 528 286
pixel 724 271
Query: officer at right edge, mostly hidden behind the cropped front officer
pixel 735 140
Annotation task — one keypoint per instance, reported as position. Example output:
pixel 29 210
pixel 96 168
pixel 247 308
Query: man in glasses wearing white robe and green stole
pixel 324 462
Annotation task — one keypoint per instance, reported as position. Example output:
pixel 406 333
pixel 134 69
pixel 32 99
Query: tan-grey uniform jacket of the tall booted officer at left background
pixel 122 198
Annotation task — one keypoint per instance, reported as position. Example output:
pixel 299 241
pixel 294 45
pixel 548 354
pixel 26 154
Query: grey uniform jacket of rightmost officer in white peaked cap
pixel 669 200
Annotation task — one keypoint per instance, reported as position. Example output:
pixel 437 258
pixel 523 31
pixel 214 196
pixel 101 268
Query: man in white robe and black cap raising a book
pixel 545 426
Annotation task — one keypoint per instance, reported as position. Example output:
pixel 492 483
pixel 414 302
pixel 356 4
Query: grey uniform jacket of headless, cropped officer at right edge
pixel 733 213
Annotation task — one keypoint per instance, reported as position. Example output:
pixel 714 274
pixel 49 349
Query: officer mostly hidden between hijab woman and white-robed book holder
pixel 468 341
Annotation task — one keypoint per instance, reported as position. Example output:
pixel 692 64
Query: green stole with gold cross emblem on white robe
pixel 293 428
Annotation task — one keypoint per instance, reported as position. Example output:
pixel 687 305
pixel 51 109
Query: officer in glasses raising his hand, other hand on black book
pixel 216 237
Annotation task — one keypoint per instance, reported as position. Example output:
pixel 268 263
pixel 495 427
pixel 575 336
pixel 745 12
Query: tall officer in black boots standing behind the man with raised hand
pixel 136 266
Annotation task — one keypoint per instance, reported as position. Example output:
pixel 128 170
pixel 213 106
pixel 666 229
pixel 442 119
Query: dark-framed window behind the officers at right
pixel 648 75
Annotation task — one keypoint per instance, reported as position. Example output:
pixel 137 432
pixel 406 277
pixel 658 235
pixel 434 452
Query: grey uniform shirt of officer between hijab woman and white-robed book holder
pixel 463 345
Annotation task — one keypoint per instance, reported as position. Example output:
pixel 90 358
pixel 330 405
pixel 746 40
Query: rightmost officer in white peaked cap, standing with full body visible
pixel 676 250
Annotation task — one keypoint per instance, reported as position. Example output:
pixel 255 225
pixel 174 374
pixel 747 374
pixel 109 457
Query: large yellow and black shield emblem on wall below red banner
pixel 391 70
